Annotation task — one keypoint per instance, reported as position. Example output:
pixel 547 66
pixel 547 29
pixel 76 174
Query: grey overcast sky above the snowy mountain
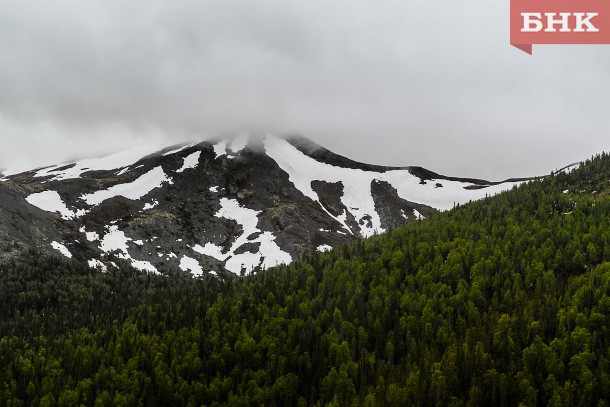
pixel 397 82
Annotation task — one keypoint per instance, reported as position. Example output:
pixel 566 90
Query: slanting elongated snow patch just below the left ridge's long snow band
pixel 133 190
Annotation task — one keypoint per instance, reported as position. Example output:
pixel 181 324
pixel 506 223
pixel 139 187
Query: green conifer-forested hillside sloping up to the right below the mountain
pixel 503 301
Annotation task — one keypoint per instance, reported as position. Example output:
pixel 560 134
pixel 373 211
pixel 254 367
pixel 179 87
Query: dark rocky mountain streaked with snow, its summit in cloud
pixel 238 204
